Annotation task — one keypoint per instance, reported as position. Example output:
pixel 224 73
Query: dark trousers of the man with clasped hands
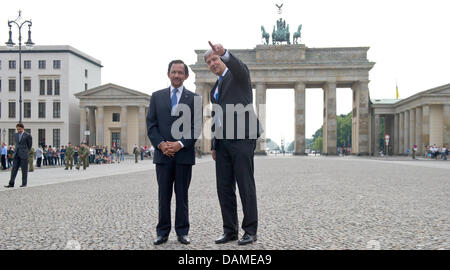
pixel 168 176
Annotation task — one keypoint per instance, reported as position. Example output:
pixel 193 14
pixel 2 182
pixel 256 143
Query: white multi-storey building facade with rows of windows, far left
pixel 51 75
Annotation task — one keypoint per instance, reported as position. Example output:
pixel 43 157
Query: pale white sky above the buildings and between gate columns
pixel 135 40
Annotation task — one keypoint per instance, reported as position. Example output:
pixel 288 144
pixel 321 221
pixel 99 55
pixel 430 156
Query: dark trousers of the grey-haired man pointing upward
pixel 234 164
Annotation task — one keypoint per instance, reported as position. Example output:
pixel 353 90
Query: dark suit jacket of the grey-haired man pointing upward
pixel 235 88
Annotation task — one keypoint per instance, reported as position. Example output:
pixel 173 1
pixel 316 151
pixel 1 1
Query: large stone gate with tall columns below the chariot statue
pixel 299 67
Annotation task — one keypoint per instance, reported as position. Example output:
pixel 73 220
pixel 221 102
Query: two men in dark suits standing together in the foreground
pixel 233 153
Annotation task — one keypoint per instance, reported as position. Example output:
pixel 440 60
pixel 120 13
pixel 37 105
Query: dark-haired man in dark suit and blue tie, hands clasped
pixel 174 153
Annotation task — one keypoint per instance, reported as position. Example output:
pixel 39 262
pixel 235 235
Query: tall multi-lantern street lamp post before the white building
pixel 11 44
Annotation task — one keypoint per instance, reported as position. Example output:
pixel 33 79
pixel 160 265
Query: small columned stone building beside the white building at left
pixel 113 116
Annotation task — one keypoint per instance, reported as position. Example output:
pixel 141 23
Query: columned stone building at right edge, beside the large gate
pixel 421 119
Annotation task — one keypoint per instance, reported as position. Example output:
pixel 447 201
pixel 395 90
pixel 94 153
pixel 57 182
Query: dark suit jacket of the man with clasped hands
pixel 159 125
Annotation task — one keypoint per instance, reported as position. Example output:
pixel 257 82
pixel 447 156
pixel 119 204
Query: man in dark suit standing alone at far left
pixel 24 141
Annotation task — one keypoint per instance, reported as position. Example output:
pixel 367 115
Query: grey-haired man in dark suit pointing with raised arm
pixel 233 145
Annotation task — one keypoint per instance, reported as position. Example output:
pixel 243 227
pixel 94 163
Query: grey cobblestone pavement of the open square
pixel 303 203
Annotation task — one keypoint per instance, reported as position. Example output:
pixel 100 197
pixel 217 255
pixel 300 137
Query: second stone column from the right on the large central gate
pixel 329 119
